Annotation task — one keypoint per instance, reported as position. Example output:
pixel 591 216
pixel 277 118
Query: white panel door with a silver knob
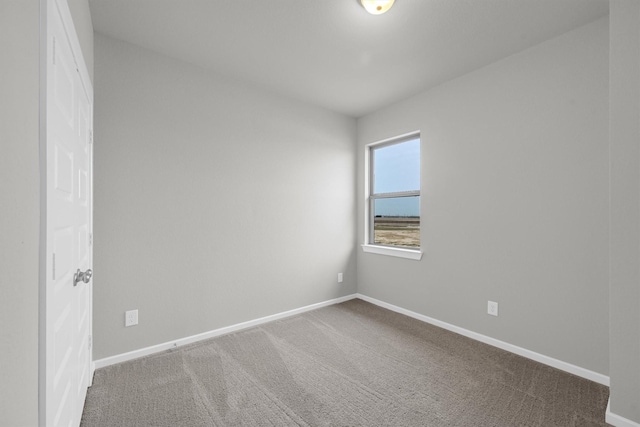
pixel 68 225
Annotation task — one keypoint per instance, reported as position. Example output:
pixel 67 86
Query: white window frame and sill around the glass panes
pixel 369 246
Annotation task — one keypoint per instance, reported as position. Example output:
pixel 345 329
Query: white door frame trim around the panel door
pixel 44 255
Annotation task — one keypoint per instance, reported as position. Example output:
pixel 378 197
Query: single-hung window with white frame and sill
pixel 393 205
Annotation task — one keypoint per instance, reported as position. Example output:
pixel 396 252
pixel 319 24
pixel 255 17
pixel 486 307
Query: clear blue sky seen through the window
pixel 397 168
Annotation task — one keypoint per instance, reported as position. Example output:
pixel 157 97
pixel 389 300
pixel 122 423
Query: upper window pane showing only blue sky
pixel 397 167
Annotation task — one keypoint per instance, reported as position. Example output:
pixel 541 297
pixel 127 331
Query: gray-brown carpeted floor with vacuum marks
pixel 351 364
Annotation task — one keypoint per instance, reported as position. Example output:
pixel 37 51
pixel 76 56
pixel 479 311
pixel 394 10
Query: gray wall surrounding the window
pixel 514 200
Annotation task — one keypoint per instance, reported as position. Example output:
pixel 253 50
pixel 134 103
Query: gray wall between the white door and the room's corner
pixel 215 203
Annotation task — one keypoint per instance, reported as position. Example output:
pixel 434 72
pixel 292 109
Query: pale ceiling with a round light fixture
pixel 331 52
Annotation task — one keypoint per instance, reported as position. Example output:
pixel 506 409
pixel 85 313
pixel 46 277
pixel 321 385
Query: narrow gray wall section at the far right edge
pixel 625 209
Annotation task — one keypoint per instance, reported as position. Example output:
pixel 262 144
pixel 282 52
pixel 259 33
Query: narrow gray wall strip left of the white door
pixel 19 212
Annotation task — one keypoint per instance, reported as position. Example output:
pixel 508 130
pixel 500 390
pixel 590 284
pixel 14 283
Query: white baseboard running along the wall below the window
pixel 550 361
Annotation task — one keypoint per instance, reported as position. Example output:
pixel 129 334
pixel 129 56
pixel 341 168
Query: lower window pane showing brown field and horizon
pixel 396 221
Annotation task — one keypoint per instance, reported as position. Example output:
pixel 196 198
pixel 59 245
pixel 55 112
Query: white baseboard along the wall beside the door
pixel 112 360
